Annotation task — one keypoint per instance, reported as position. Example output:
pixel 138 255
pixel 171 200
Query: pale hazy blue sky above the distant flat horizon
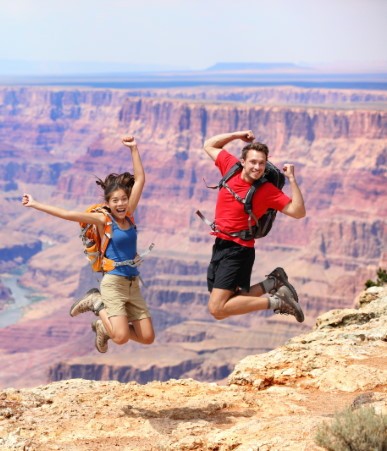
pixel 194 34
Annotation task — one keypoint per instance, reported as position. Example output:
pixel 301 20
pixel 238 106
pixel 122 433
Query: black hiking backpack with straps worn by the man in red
pixel 262 225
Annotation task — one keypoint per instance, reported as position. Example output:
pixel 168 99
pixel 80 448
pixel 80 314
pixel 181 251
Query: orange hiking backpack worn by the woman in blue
pixel 94 246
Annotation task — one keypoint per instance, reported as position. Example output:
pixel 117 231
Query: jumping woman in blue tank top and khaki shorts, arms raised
pixel 123 313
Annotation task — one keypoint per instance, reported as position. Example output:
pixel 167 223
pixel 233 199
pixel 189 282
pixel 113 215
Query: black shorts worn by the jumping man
pixel 230 266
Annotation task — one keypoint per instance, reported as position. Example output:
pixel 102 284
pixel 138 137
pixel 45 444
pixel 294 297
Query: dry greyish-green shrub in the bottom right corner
pixel 354 430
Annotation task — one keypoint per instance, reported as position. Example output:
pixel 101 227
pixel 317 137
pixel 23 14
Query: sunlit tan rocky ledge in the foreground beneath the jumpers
pixel 273 401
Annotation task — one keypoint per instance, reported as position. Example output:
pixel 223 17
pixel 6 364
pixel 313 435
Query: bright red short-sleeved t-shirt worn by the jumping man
pixel 229 214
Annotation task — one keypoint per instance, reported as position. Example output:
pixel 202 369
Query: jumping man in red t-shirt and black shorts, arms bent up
pixel 229 271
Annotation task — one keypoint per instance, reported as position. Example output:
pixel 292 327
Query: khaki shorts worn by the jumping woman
pixel 122 297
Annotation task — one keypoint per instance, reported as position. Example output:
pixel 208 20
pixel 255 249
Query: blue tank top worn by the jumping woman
pixel 123 246
